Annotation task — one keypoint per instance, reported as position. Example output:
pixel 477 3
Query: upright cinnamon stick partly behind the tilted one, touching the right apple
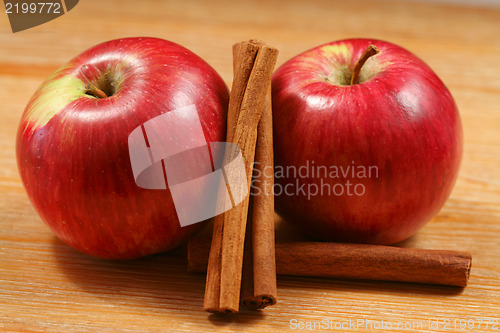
pixel 258 287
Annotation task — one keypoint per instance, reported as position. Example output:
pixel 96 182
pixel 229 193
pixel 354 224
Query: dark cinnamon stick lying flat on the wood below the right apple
pixel 359 261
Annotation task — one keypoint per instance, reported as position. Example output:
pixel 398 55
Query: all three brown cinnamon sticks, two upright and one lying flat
pixel 242 262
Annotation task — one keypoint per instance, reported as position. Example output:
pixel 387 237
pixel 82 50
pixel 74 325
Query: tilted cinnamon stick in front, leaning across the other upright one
pixel 246 105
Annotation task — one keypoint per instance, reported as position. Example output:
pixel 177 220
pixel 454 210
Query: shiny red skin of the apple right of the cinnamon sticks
pixel 400 118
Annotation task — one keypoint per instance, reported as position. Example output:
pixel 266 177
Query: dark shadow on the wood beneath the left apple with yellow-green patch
pixel 151 286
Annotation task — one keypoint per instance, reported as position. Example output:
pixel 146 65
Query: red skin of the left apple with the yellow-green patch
pixel 72 150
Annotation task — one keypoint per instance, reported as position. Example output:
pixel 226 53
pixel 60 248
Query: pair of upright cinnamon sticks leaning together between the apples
pixel 249 125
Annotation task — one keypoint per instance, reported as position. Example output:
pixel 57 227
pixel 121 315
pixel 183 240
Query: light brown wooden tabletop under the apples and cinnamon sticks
pixel 45 286
